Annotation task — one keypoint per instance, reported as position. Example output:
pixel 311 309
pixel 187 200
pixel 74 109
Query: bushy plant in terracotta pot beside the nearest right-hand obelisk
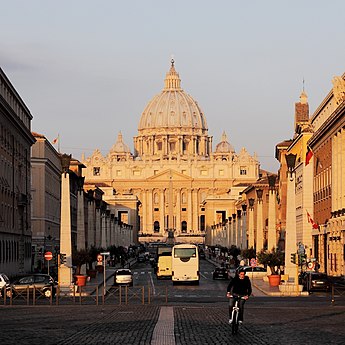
pixel 272 259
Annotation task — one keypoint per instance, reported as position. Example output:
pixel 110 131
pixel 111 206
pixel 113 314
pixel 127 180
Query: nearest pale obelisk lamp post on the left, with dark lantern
pixel 65 269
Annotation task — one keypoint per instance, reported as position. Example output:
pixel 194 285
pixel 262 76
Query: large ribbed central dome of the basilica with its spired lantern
pixel 172 109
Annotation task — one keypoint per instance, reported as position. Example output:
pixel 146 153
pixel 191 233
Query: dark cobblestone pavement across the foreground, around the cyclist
pixel 267 321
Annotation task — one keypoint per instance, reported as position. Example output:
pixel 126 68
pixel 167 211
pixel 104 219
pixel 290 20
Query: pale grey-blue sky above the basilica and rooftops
pixel 86 69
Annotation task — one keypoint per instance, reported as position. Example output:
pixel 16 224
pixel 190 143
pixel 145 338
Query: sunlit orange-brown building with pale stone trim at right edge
pixel 328 145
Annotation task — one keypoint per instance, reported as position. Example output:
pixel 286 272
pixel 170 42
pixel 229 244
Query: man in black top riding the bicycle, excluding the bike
pixel 240 285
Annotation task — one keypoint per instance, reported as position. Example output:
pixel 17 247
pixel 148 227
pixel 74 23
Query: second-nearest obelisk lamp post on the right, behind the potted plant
pixel 272 233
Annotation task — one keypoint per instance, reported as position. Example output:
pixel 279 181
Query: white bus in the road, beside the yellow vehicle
pixel 185 263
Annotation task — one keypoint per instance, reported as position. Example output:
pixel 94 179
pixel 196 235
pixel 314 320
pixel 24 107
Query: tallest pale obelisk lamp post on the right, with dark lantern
pixel 290 237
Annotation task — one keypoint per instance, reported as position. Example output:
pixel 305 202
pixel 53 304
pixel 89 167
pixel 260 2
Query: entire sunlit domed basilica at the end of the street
pixel 173 186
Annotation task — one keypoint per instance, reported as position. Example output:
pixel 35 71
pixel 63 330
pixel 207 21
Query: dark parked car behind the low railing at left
pixel 42 283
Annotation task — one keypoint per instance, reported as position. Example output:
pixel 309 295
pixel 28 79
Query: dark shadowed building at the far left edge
pixel 15 177
